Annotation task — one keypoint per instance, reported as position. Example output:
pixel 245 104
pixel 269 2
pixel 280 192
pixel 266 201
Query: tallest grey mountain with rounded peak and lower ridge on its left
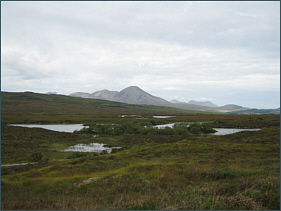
pixel 131 95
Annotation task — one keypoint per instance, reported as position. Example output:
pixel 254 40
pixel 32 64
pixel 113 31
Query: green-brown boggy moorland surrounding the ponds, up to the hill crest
pixel 173 172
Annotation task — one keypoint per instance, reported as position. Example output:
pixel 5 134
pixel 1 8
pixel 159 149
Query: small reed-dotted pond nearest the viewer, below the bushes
pixel 92 147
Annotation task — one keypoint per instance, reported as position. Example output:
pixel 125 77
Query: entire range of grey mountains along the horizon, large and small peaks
pixel 135 95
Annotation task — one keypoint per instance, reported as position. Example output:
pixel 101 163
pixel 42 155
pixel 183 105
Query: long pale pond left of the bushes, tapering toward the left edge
pixel 69 128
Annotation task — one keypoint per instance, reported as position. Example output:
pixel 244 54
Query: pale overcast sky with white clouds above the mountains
pixel 225 52
